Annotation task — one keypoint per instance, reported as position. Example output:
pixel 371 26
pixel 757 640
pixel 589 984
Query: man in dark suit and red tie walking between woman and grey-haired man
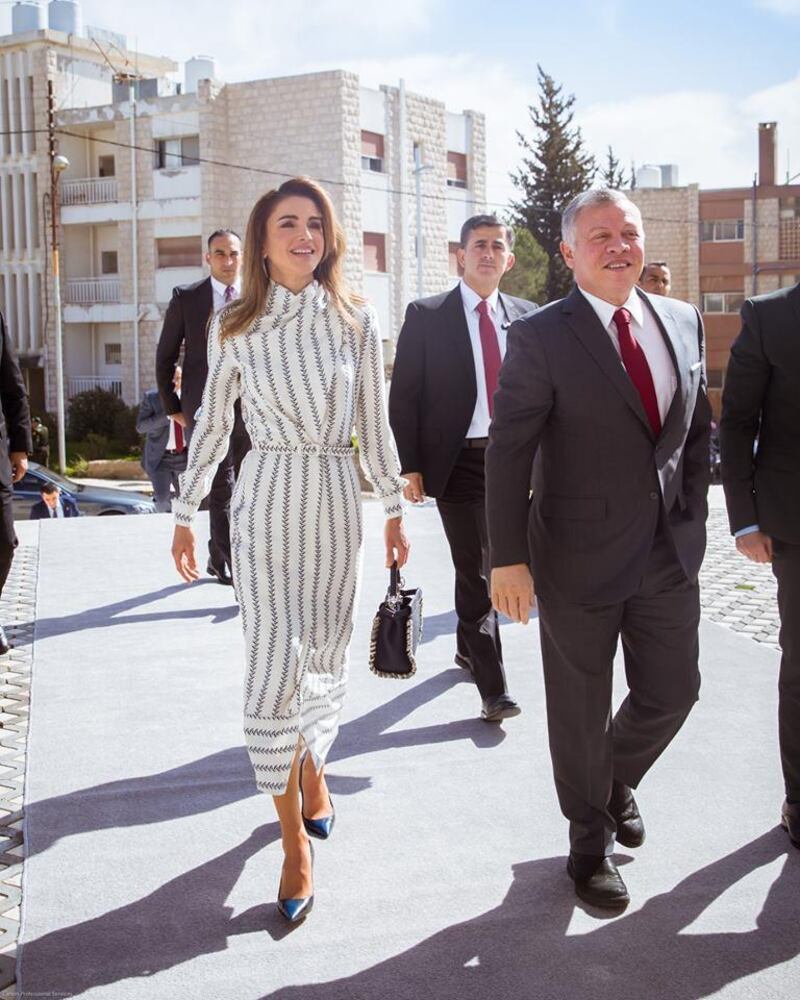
pixel 440 403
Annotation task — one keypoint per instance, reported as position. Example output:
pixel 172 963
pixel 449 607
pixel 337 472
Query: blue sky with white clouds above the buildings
pixel 684 82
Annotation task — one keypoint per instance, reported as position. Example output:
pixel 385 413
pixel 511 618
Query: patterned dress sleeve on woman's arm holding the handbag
pixel 376 446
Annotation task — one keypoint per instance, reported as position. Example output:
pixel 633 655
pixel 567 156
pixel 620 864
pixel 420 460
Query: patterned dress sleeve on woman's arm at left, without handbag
pixel 213 427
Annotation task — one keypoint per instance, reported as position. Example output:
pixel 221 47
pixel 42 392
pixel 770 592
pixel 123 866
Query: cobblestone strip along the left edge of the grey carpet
pixel 17 613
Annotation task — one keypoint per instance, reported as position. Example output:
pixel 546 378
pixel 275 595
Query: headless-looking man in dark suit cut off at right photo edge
pixel 760 446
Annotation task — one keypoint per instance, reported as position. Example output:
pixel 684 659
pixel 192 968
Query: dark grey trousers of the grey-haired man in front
pixel 589 749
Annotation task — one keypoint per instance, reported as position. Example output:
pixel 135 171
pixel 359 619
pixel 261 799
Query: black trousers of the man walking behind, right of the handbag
pixel 463 511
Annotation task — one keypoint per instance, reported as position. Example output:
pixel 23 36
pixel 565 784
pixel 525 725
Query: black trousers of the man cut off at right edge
pixel 786 567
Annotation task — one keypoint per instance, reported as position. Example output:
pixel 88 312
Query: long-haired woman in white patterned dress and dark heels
pixel 304 356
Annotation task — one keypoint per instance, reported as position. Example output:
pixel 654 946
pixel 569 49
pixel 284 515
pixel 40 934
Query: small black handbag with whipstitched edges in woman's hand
pixel 396 630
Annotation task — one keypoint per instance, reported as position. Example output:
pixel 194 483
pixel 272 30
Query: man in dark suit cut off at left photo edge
pixel 15 444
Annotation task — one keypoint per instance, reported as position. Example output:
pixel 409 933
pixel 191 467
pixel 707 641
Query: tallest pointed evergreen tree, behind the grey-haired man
pixel 555 167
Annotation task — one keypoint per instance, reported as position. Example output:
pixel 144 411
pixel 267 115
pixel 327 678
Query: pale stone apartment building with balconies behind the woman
pixel 149 179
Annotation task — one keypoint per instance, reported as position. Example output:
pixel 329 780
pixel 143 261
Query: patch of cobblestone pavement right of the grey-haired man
pixel 737 593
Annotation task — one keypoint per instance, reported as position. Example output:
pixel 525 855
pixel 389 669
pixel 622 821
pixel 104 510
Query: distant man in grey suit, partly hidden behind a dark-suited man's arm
pixel 165 451
